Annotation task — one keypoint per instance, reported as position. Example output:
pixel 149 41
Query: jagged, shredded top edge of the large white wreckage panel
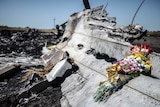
pixel 108 24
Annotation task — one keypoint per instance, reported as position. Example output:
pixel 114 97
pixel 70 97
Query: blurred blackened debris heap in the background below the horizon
pixel 27 43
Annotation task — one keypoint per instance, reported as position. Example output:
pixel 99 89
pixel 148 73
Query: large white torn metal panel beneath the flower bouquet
pixel 100 33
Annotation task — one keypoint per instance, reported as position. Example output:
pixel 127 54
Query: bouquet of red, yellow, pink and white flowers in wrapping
pixel 135 63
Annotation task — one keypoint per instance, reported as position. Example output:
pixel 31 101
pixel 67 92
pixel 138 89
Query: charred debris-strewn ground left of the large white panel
pixel 23 69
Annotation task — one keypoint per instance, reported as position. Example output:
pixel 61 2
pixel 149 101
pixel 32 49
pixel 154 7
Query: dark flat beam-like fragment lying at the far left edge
pixel 8 71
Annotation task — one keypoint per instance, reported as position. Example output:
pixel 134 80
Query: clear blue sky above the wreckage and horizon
pixel 40 13
